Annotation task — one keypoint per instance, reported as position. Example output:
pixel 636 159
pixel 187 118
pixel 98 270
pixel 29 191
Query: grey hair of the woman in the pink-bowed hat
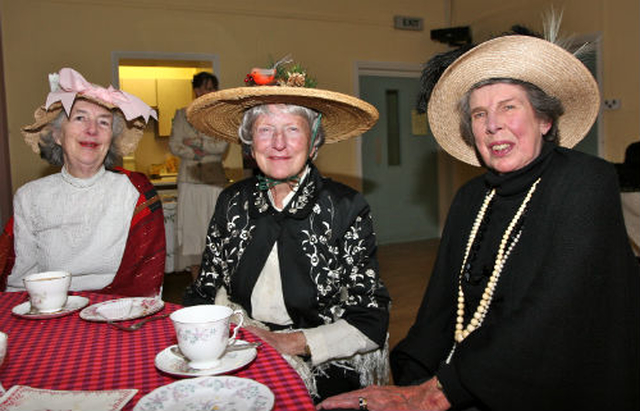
pixel 51 151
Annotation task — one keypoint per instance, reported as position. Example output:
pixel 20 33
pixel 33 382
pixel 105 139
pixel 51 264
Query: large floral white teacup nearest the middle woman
pixel 203 333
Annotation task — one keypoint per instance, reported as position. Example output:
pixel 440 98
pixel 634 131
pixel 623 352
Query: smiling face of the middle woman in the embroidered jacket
pixel 280 142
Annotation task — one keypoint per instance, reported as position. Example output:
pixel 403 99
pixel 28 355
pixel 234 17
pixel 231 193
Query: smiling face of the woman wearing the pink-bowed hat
pixel 85 138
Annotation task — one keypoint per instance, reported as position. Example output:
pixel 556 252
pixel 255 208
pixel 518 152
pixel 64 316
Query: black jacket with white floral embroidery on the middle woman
pixel 326 250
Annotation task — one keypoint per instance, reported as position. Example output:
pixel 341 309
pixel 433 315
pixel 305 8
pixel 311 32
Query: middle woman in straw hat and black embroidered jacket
pixel 295 250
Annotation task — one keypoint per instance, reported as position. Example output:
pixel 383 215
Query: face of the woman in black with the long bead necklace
pixel 506 130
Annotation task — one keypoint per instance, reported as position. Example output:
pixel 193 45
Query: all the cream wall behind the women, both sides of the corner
pixel 41 36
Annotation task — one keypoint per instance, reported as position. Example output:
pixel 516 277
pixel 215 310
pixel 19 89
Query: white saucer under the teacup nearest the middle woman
pixel 175 364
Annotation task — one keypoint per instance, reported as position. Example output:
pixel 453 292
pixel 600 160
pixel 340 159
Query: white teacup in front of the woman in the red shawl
pixel 48 291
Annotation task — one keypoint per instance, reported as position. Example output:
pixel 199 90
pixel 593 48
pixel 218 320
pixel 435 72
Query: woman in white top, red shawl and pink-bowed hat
pixel 102 225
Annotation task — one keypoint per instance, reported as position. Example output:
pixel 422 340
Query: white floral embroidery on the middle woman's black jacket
pixel 342 267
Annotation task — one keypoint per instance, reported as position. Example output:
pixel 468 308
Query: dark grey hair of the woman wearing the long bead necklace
pixel 546 107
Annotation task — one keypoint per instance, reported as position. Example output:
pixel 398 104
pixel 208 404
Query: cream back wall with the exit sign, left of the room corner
pixel 328 37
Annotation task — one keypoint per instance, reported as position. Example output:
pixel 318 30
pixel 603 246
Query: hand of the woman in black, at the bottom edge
pixel 425 396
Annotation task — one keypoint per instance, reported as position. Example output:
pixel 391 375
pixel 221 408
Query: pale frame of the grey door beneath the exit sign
pixel 380 69
